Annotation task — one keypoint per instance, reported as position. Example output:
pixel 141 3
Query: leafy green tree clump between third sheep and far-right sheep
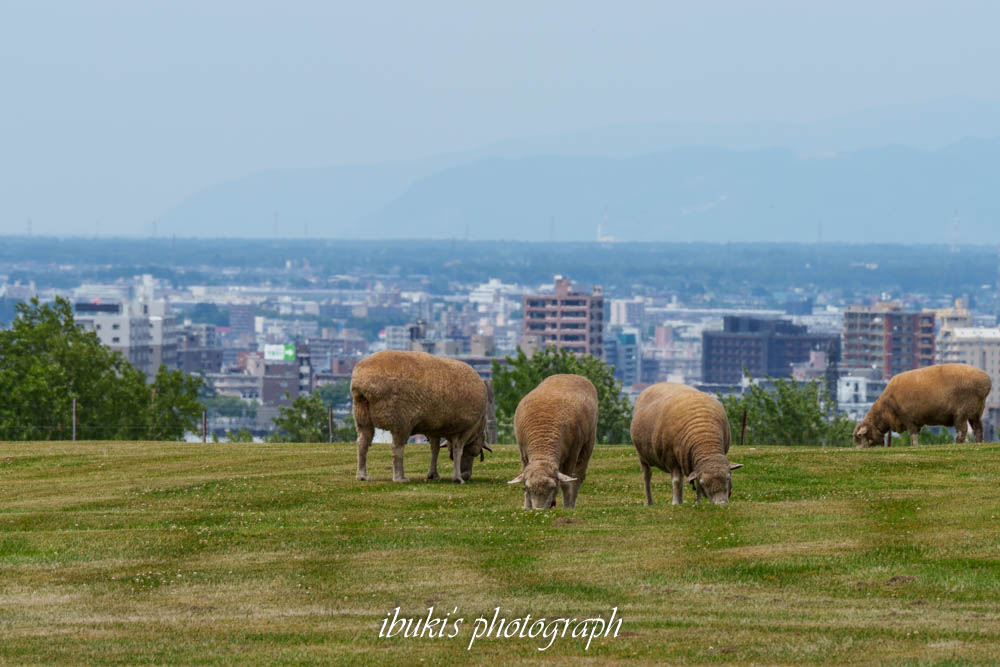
pixel 791 414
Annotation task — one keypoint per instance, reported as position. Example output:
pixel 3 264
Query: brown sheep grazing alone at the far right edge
pixel 942 395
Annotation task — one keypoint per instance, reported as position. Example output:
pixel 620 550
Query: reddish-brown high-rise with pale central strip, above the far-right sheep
pixel 887 339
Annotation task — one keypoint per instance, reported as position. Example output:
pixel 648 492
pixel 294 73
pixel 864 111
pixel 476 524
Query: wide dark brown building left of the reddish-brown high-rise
pixel 762 347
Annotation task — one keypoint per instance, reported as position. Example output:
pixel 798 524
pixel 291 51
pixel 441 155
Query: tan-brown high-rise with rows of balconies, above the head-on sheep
pixel 566 319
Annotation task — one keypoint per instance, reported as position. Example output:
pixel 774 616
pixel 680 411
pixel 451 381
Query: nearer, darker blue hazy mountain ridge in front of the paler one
pixel 710 194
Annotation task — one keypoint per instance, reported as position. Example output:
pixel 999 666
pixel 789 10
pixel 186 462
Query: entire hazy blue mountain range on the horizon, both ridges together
pixel 839 174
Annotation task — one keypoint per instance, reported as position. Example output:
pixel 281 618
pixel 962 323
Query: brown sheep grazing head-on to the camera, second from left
pixel 556 426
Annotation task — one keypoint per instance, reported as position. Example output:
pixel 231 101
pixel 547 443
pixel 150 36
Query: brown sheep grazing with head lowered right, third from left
pixel 686 432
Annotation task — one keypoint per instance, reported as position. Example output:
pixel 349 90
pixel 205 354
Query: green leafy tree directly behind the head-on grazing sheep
pixel 520 374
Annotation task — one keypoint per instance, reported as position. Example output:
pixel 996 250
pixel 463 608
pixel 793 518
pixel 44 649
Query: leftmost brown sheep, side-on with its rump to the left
pixel 416 392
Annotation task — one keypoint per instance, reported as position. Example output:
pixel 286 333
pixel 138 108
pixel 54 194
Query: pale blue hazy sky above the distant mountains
pixel 115 111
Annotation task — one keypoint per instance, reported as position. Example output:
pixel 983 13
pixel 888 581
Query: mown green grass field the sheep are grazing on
pixel 225 553
